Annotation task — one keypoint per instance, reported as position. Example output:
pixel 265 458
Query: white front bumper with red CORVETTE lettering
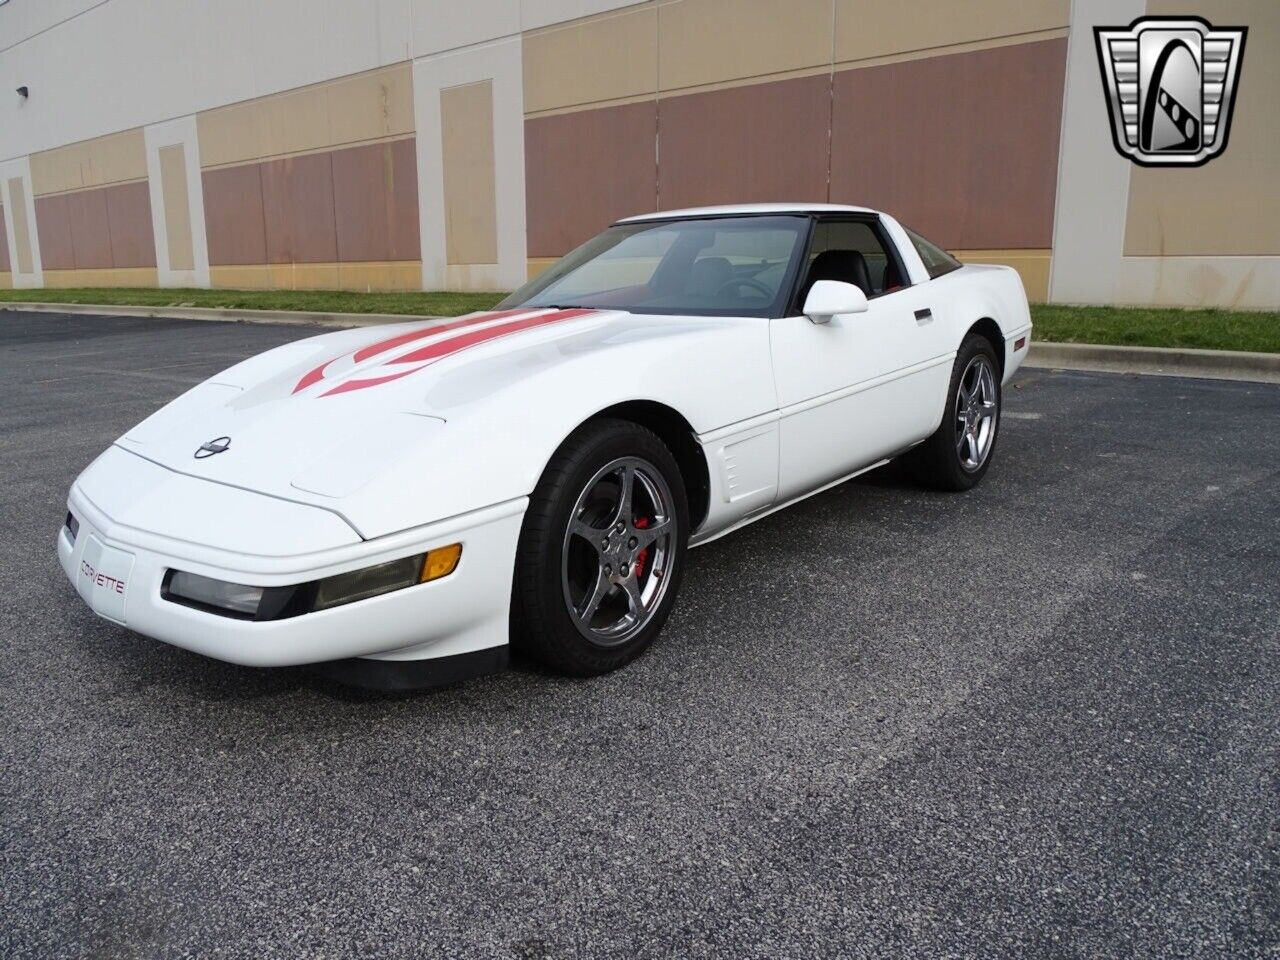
pixel 118 569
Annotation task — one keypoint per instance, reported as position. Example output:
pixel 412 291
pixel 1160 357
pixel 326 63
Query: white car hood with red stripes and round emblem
pixel 355 420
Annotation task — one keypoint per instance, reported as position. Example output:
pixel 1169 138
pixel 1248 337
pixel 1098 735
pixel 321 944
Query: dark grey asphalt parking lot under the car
pixel 1037 720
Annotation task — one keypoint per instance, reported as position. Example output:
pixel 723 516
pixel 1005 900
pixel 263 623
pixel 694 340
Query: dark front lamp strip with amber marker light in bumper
pixel 245 602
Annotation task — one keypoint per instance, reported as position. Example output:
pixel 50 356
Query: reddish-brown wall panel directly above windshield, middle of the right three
pixel 762 143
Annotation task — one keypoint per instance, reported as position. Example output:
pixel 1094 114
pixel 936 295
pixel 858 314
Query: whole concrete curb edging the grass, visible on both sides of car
pixel 1158 362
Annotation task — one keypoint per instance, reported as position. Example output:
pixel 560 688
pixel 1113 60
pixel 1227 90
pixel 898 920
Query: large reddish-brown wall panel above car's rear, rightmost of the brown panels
pixel 961 148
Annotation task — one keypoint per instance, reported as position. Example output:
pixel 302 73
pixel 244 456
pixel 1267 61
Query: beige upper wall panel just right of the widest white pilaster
pixel 587 62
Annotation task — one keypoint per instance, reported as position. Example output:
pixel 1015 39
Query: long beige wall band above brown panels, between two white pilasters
pixel 350 111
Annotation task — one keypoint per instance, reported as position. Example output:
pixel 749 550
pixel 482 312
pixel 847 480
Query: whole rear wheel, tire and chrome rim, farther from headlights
pixel 959 452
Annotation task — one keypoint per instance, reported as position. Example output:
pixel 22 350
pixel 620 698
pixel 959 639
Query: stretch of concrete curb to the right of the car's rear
pixel 1158 362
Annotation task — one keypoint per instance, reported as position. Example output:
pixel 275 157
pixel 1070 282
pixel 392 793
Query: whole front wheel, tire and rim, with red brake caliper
pixel 601 551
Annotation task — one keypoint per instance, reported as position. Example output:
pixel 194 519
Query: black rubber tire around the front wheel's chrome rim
pixel 543 625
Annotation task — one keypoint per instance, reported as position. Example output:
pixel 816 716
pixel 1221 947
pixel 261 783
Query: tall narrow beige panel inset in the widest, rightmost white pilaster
pixel 470 190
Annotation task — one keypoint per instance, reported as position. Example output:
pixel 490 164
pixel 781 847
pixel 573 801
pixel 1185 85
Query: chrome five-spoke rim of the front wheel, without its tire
pixel 619 551
